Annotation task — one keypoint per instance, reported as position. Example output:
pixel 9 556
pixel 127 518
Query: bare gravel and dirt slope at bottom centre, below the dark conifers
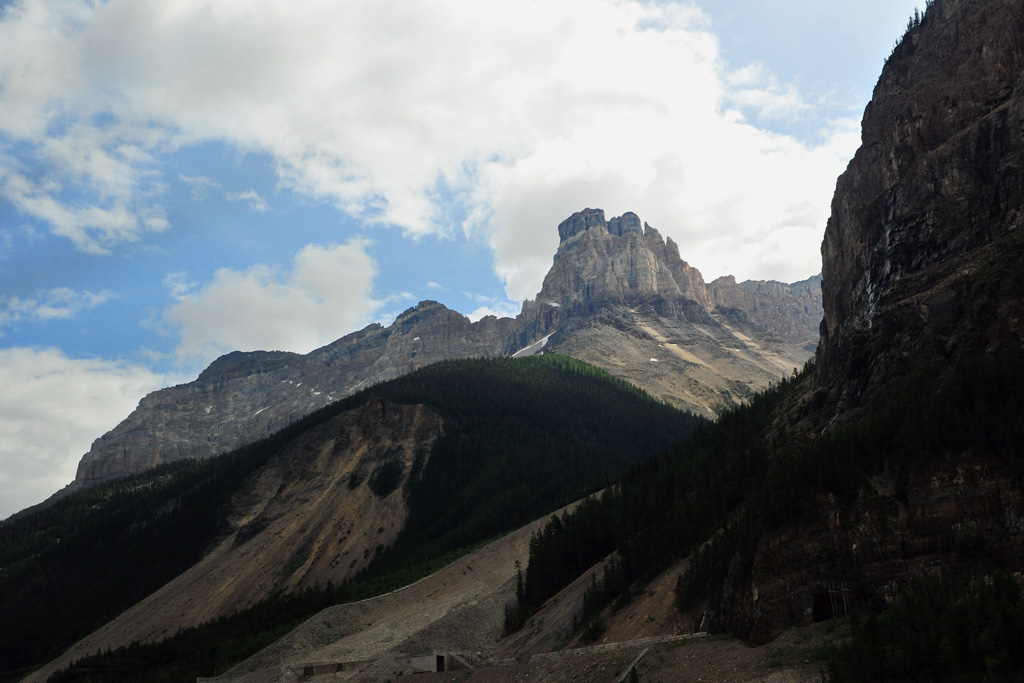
pixel 460 610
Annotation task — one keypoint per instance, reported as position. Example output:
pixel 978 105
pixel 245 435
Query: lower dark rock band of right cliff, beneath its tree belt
pixel 956 517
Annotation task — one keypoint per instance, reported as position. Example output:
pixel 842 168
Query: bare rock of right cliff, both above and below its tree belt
pixel 922 264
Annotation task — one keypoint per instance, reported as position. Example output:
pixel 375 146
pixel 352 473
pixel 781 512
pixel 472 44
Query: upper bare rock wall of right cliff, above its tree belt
pixel 922 253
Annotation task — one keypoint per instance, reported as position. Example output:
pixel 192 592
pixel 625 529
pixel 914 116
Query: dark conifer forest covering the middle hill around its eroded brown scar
pixel 523 438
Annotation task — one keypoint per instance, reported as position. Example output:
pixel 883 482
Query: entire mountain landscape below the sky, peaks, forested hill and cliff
pixel 883 478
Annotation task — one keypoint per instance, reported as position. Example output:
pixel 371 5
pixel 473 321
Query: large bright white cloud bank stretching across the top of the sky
pixel 518 113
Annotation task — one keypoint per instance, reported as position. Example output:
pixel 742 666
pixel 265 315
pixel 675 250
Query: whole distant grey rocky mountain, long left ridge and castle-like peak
pixel 618 296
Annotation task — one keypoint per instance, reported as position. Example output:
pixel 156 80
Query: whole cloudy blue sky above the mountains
pixel 182 179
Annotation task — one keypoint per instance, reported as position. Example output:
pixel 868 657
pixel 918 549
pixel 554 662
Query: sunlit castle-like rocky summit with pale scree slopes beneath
pixel 619 296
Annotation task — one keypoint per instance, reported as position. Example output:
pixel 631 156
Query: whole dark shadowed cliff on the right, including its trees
pixel 924 302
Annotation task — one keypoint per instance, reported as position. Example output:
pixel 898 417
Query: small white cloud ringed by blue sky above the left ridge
pixel 326 294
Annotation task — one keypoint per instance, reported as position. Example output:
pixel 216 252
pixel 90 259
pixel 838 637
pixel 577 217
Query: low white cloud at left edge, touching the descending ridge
pixel 52 409
